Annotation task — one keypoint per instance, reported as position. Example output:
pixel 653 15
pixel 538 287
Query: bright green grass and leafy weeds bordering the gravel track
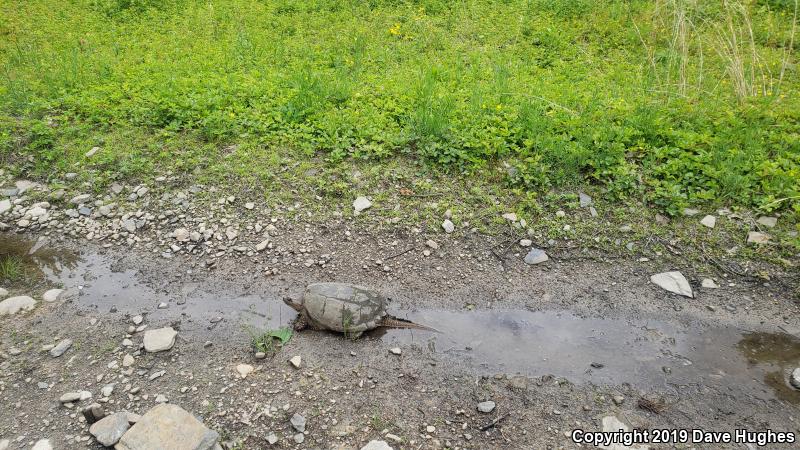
pixel 674 102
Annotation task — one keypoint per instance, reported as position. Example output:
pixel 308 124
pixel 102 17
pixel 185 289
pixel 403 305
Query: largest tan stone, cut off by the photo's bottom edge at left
pixel 168 426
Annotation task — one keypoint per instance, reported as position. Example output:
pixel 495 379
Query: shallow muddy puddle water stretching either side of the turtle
pixel 645 353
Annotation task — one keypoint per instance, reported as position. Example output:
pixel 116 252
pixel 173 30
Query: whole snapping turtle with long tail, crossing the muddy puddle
pixel 346 308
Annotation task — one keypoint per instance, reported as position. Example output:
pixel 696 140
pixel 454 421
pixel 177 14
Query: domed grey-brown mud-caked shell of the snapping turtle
pixel 344 307
